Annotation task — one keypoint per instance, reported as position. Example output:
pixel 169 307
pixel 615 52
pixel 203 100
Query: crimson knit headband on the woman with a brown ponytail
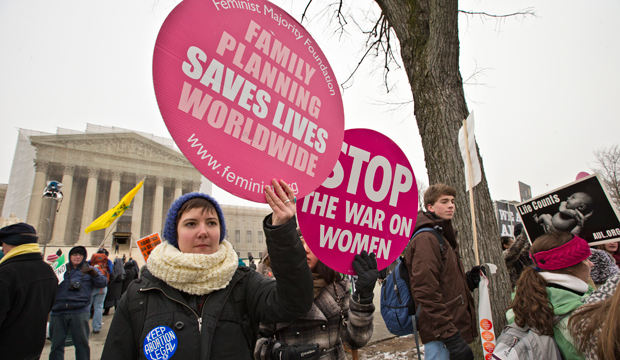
pixel 567 255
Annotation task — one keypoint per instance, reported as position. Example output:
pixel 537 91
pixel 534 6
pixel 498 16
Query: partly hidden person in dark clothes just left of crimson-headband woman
pixel 516 254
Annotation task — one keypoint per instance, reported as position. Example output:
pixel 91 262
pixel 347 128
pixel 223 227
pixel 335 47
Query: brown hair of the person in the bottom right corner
pixel 588 319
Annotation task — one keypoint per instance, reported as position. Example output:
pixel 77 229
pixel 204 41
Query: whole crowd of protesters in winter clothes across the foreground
pixel 196 300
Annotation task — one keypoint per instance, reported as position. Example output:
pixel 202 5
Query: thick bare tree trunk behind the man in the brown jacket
pixel 428 34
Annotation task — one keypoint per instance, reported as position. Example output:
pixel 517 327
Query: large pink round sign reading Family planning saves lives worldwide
pixel 247 95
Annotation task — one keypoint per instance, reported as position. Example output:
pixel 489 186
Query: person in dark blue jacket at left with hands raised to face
pixel 71 309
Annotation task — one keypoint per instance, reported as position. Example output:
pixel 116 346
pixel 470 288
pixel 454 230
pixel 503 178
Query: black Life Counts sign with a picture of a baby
pixel 582 207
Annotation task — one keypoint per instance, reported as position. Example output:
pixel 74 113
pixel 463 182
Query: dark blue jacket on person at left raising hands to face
pixel 76 301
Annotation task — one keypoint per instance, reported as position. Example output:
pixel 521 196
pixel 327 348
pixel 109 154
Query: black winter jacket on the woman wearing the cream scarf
pixel 228 325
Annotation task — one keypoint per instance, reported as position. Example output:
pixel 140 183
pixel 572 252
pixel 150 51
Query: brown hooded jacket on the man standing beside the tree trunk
pixel 438 283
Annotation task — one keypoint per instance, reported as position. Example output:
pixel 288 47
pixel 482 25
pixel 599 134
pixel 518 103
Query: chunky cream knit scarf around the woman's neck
pixel 195 274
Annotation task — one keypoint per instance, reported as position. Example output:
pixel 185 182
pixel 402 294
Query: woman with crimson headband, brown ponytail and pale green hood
pixel 553 289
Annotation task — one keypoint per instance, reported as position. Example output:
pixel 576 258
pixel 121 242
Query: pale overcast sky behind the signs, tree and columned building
pixel 546 95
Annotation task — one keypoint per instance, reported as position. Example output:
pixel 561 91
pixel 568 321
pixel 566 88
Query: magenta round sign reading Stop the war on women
pixel 369 202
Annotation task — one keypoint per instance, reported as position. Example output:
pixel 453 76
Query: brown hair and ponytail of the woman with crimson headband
pixel 531 304
